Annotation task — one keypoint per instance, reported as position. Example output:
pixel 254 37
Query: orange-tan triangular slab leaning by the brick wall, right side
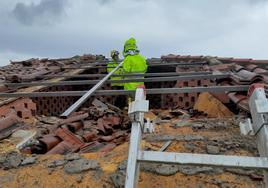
pixel 211 106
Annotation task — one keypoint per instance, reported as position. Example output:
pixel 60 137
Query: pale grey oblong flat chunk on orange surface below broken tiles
pixel 80 165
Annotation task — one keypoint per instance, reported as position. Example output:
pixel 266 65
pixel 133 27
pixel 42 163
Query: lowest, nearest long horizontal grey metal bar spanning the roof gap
pixel 215 89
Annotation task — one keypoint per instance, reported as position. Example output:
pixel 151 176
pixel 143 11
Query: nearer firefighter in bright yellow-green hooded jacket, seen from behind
pixel 133 63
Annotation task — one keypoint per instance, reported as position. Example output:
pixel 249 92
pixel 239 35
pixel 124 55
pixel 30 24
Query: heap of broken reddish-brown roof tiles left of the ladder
pixel 97 128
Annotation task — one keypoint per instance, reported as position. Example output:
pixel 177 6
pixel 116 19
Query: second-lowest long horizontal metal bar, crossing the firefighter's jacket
pixel 87 82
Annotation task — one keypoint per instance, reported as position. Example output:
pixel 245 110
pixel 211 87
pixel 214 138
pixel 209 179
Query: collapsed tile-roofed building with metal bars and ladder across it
pixel 198 124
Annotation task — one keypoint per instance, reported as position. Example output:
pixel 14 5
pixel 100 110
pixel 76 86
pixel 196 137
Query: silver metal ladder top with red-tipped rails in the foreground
pixel 136 155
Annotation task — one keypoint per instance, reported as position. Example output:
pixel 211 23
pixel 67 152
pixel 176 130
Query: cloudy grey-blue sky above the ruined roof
pixel 63 28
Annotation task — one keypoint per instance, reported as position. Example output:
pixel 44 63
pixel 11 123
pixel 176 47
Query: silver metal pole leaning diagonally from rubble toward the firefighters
pixel 78 103
